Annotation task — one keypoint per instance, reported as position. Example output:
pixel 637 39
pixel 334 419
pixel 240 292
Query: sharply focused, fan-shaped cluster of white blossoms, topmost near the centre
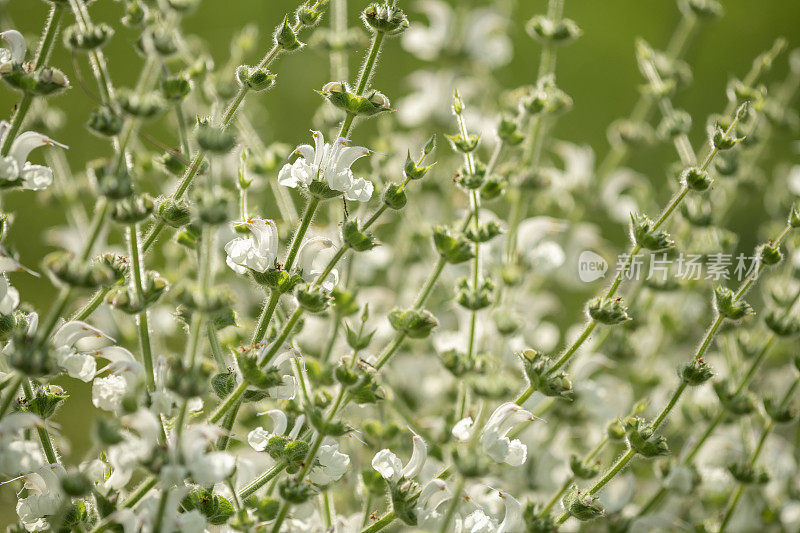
pixel 329 163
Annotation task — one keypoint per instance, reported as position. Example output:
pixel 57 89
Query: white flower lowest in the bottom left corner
pixel 44 496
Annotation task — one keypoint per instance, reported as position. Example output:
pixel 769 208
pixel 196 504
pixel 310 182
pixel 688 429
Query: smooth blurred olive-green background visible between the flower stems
pixel 598 71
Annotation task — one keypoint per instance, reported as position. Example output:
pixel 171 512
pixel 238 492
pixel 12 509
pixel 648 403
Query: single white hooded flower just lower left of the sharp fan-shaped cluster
pixel 256 251
